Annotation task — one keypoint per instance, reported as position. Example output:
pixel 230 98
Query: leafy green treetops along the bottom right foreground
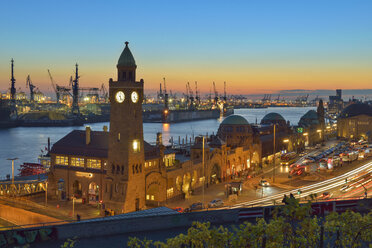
pixel 292 225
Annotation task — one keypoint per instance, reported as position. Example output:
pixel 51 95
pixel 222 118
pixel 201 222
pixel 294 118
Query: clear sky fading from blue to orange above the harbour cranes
pixel 257 46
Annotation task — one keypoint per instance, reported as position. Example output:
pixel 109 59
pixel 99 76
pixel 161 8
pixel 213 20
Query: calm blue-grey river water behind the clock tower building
pixel 26 143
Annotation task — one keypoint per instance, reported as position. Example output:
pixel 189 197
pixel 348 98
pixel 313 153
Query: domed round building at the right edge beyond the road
pixel 355 122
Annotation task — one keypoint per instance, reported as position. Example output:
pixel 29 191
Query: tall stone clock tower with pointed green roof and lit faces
pixel 125 181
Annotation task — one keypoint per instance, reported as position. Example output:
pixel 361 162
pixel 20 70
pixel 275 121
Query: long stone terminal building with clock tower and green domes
pixel 118 168
